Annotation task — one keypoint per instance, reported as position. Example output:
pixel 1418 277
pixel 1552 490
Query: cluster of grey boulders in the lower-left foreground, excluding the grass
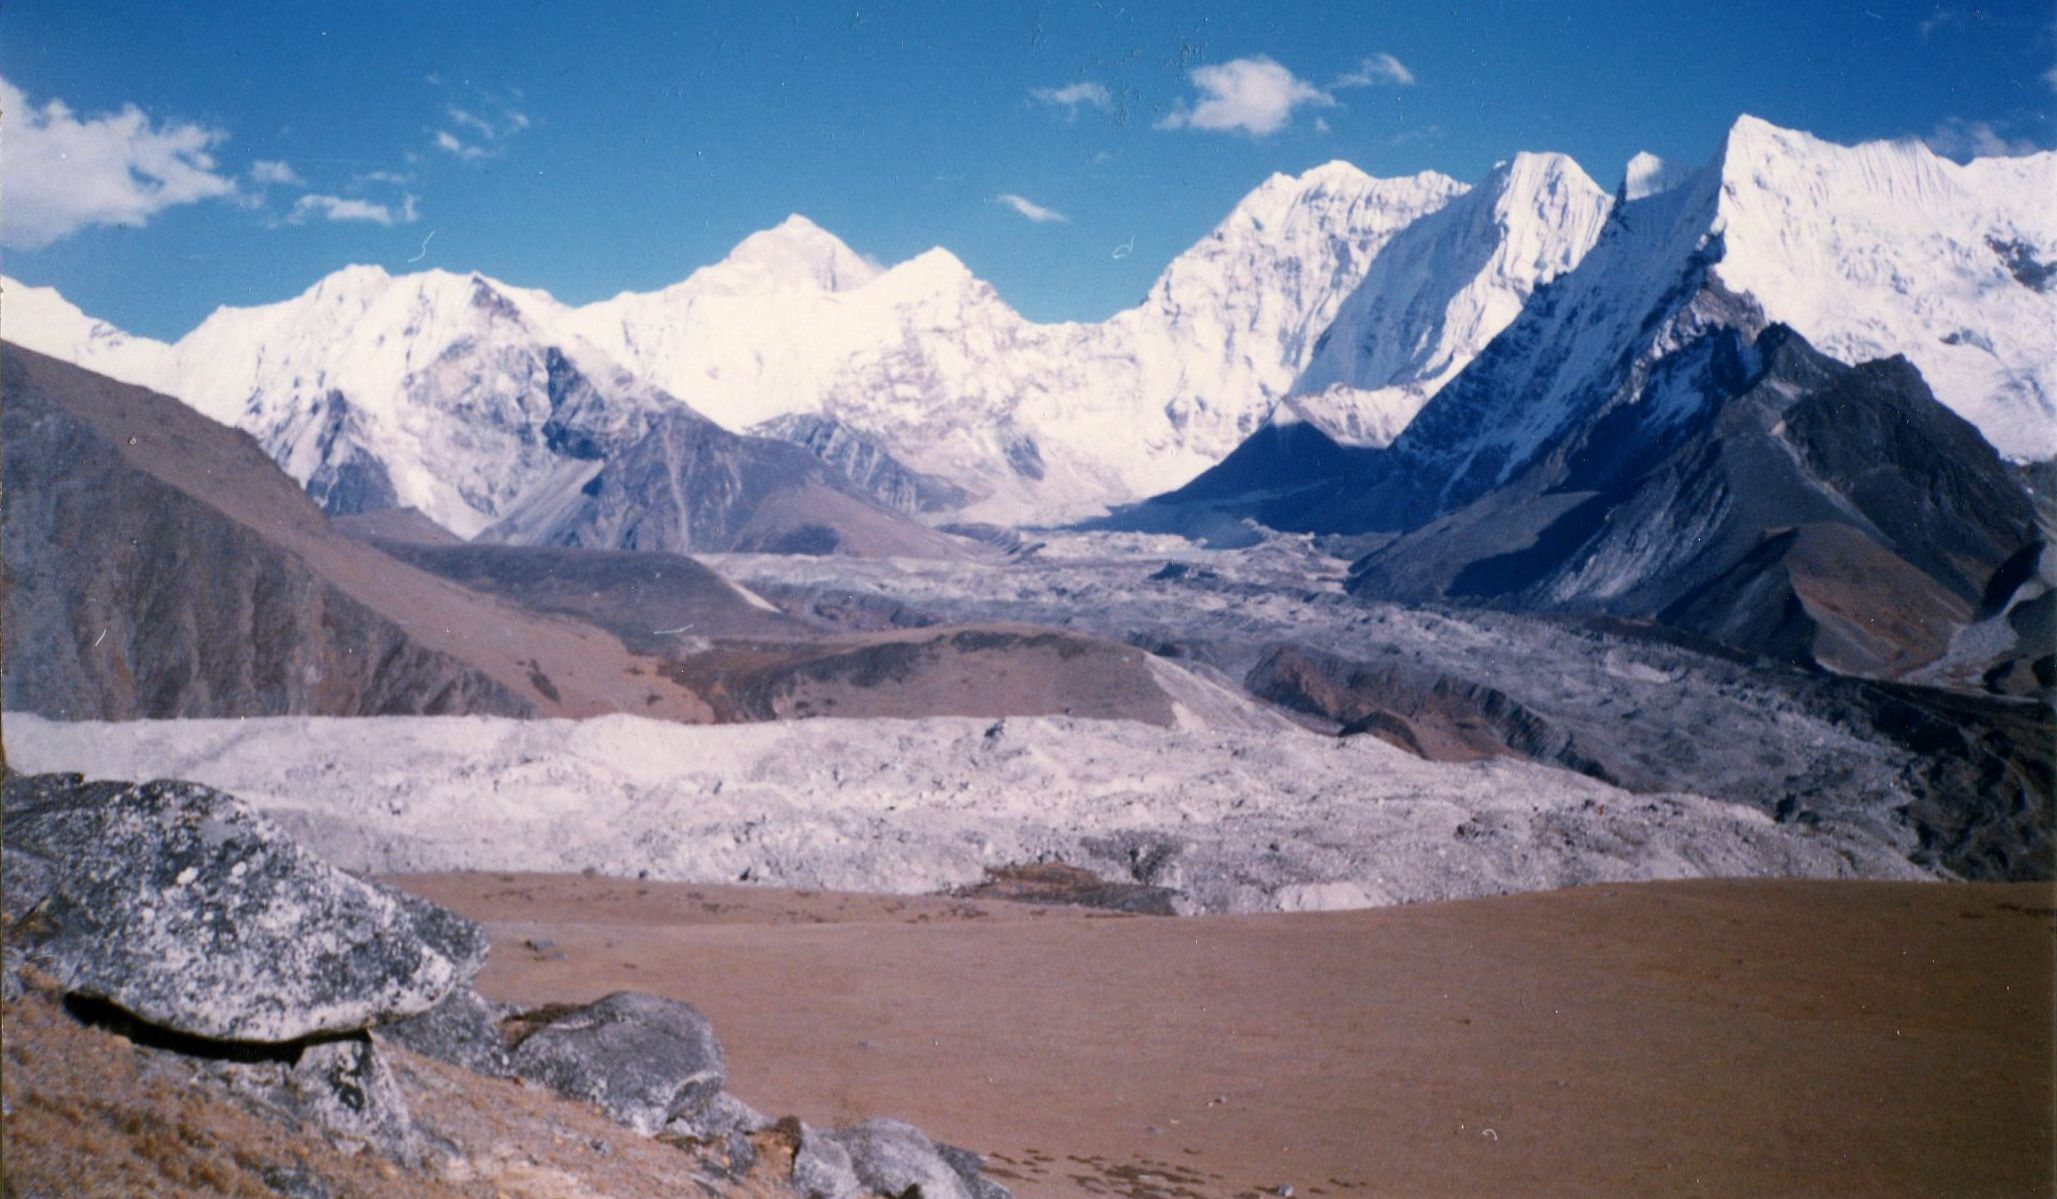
pixel 238 961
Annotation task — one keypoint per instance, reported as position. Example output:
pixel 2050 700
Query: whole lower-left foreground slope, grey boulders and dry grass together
pixel 174 941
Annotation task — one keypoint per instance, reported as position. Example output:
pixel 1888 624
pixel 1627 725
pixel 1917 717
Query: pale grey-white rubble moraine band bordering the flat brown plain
pixel 1225 820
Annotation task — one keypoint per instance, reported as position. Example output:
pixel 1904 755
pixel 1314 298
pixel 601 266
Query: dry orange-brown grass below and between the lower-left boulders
pixel 89 1118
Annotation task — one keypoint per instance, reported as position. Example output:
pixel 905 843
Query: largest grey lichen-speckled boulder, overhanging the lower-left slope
pixel 194 914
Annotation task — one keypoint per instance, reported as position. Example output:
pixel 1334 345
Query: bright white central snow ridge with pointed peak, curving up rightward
pixel 1032 421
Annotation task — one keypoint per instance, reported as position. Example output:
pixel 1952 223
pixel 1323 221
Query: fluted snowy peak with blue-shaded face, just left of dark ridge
pixel 1441 291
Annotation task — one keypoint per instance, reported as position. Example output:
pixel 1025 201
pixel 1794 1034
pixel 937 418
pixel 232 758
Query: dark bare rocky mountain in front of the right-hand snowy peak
pixel 1764 497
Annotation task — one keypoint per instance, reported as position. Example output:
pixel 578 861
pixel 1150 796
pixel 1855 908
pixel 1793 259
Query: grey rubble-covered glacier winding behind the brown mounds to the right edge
pixel 1963 780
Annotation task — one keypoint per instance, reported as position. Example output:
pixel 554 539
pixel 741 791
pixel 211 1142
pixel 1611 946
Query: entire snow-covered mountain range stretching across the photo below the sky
pixel 1330 299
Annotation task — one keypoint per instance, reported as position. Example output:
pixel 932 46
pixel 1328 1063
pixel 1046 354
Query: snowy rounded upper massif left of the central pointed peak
pixel 439 392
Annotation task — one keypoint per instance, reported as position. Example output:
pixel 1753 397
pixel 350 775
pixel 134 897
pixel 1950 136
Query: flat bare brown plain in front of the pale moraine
pixel 1661 1040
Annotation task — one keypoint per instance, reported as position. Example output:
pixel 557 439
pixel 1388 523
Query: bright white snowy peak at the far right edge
pixel 1887 248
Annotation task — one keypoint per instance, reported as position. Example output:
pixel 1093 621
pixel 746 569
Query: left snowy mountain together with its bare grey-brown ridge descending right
pixel 470 402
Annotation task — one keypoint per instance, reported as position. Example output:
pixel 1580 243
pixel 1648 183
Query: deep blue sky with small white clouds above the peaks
pixel 233 153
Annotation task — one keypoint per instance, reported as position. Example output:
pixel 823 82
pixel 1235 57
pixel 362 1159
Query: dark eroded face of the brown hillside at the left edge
pixel 129 597
